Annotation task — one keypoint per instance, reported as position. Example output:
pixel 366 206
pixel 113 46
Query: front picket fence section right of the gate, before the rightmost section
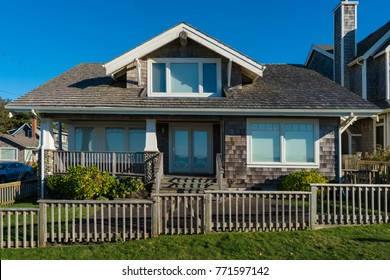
pixel 259 211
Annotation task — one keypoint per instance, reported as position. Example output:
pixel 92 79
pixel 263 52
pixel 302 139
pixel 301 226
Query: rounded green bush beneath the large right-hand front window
pixel 301 180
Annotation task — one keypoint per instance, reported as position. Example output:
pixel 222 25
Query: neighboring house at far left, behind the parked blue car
pixel 22 144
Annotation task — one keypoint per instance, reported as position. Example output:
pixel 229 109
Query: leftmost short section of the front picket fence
pixel 18 227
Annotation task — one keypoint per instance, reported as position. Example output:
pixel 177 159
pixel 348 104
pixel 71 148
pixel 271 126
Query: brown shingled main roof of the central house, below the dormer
pixel 284 90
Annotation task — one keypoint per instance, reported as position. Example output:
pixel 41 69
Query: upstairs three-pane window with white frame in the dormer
pixel 184 77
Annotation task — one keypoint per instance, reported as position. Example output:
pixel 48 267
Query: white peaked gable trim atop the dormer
pixel 119 63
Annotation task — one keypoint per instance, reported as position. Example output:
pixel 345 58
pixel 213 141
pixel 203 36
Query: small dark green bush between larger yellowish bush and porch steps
pixel 129 188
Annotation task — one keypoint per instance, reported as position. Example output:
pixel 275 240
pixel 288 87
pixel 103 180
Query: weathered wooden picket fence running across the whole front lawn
pixel 69 221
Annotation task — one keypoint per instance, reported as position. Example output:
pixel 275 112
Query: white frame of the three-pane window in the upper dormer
pixel 200 62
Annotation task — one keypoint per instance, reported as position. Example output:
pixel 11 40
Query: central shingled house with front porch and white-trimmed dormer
pixel 201 103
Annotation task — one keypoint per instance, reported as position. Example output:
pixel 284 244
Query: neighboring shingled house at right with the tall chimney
pixel 363 67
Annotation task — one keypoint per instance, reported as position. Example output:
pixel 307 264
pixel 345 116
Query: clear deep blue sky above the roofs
pixel 41 39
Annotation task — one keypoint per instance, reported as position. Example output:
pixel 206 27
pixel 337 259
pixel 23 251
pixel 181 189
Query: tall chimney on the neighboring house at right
pixel 345 25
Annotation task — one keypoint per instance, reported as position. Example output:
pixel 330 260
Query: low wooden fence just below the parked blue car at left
pixel 10 192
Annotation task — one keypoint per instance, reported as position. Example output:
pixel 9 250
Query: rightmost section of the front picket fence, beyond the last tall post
pixel 346 204
